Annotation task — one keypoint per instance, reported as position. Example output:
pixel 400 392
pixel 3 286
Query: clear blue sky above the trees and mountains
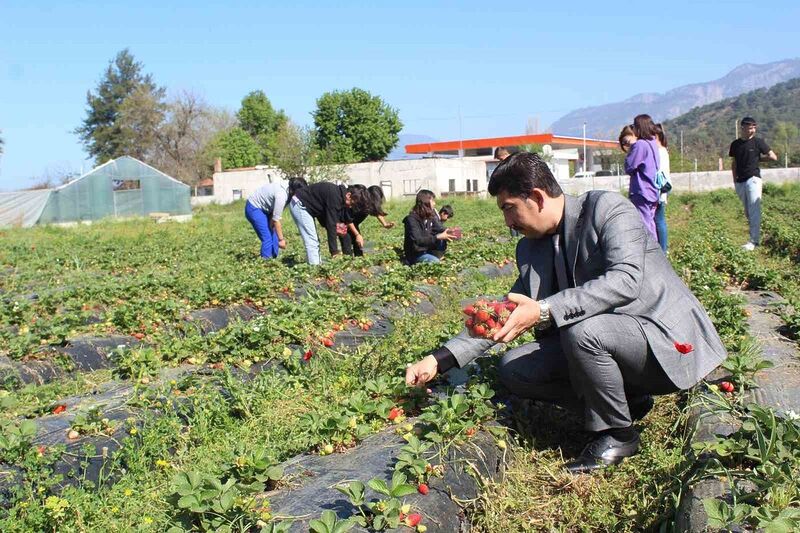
pixel 497 64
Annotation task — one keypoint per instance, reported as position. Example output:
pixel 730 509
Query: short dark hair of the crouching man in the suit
pixel 522 172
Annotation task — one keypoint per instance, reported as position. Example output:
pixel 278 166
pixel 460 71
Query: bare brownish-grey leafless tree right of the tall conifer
pixel 184 136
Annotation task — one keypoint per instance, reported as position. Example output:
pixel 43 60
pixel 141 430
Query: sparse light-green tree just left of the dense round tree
pixel 296 154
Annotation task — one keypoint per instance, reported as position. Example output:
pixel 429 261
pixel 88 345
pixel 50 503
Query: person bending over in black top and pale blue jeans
pixel 330 204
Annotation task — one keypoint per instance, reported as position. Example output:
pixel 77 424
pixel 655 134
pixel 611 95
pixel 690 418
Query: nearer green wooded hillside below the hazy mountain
pixel 709 130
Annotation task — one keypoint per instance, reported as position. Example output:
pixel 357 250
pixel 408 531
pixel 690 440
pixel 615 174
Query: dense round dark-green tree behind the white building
pixel 355 126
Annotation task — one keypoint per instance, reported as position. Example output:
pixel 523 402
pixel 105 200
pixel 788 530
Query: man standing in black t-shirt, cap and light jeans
pixel 746 152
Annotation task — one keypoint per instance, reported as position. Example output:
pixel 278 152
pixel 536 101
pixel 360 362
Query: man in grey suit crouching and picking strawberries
pixel 614 323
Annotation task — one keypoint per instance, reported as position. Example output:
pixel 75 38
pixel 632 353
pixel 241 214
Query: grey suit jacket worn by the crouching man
pixel 617 268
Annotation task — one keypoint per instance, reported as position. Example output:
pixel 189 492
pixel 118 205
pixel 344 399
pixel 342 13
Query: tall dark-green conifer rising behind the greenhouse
pixel 102 132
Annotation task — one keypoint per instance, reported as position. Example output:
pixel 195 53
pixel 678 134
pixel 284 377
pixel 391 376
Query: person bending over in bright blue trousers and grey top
pixel 263 209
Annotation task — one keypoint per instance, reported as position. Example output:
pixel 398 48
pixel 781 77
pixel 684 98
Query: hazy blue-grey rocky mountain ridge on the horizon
pixel 605 121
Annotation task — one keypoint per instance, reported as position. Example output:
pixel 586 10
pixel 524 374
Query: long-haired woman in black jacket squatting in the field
pixel 423 230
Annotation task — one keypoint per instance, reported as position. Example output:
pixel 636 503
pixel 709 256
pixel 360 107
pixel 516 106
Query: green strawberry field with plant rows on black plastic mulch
pixel 159 376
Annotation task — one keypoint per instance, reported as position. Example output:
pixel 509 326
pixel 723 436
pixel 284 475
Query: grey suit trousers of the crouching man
pixel 599 363
